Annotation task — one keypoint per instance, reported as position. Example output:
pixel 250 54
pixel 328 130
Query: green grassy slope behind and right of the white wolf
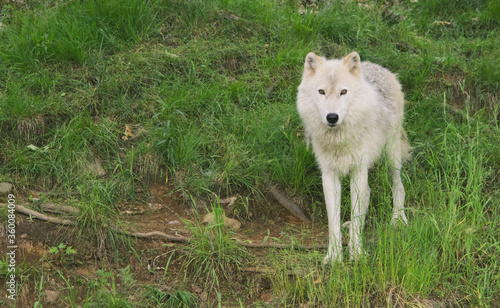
pixel 208 89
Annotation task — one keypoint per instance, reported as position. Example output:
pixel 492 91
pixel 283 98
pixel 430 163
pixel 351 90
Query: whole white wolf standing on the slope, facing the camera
pixel 351 111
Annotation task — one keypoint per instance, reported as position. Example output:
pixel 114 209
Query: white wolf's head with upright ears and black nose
pixel 332 85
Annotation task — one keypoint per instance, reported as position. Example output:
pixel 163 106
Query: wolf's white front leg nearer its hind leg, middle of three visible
pixel 360 198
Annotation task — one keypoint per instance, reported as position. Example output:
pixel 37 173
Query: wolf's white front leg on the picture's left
pixel 331 189
